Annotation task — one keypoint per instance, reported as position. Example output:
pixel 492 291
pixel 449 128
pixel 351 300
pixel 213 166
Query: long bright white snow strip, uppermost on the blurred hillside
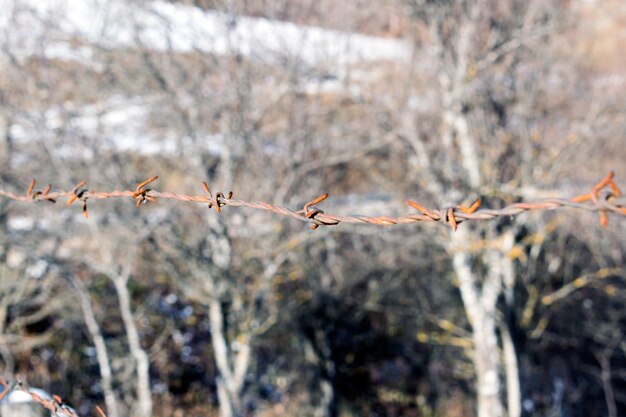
pixel 176 27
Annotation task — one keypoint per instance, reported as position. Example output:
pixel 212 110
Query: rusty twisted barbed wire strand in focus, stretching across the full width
pixel 605 197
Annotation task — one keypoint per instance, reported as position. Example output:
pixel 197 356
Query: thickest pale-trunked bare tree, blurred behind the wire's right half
pixel 471 50
